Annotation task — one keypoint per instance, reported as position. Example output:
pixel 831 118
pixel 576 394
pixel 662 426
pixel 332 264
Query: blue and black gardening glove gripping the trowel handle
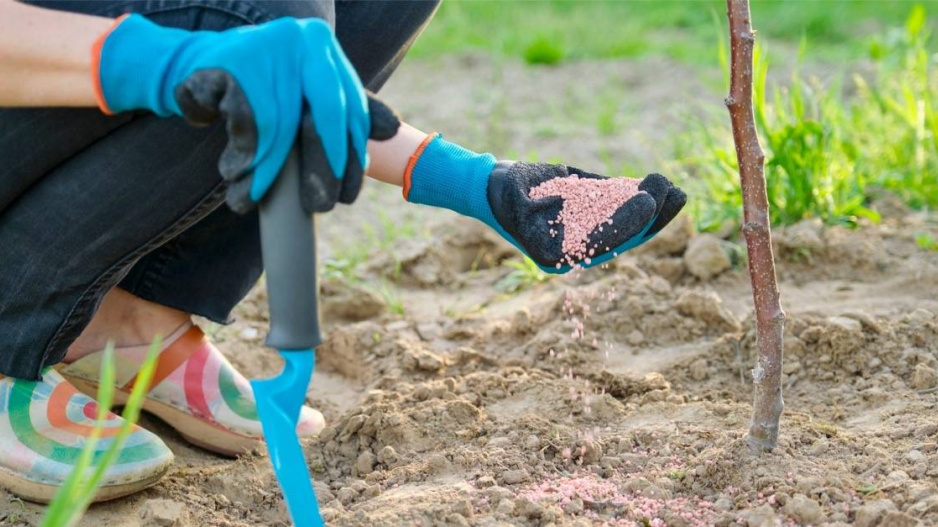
pixel 273 83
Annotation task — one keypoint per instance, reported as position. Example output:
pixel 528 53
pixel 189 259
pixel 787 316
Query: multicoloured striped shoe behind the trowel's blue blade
pixel 195 390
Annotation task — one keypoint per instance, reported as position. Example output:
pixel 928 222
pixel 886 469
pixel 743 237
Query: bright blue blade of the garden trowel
pixel 279 401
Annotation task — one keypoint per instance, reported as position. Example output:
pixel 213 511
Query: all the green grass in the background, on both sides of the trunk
pixel 831 145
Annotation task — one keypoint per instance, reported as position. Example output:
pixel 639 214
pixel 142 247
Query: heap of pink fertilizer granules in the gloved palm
pixel 588 204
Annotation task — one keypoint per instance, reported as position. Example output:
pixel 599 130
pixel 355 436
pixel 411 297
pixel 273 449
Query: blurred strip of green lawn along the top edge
pixel 547 31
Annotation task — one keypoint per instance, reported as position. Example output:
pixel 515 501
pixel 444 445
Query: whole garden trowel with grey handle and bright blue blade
pixel 288 241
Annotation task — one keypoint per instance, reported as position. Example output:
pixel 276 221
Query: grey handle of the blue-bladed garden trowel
pixel 288 245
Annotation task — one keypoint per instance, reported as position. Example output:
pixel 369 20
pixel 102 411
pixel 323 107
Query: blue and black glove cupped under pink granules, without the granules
pixel 497 193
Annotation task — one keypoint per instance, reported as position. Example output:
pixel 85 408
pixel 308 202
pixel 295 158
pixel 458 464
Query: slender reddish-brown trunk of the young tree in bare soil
pixel 770 319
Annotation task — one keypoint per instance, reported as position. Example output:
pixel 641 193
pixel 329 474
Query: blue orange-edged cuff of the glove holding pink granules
pixel 444 174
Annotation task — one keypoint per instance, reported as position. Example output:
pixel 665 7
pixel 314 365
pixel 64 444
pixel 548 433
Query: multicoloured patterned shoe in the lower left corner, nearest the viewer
pixel 44 425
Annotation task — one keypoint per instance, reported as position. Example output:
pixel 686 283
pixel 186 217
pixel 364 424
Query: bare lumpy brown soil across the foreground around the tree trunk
pixel 612 396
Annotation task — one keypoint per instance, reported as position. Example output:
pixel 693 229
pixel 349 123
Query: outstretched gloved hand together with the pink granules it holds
pixel 561 217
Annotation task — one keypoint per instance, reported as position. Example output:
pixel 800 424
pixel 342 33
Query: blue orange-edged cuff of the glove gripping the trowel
pixel 129 66
